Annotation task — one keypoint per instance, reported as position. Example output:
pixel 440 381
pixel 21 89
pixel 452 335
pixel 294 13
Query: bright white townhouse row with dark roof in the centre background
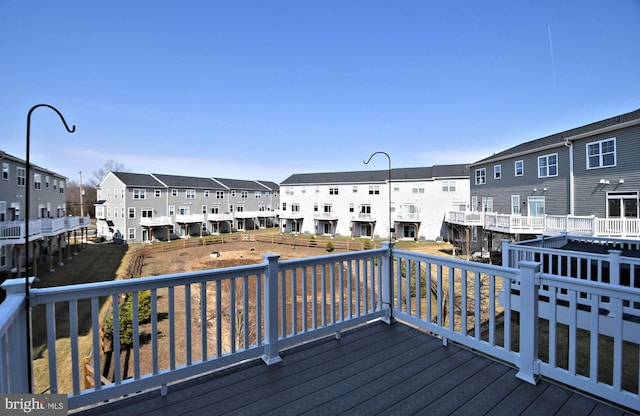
pixel 413 204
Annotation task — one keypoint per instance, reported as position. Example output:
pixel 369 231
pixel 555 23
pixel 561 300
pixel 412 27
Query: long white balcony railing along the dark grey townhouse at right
pixel 548 224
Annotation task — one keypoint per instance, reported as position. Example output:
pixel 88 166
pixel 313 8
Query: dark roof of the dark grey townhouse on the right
pixel 559 138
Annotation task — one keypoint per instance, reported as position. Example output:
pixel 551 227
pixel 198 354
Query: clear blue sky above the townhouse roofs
pixel 265 89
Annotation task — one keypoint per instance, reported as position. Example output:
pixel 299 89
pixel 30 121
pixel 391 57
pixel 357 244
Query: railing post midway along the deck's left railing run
pixel 271 349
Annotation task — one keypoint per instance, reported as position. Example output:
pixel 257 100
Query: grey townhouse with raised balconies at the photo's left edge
pixel 49 227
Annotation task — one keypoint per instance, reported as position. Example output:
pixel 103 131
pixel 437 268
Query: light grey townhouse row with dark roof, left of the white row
pixel 138 207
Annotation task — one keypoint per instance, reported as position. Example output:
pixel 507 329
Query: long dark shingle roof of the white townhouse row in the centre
pixel 372 176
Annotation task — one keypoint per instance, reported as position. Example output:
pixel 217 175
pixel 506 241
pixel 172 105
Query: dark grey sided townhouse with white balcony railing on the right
pixel 583 180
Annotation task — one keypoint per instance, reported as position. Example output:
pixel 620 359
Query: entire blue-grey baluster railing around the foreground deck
pixel 221 317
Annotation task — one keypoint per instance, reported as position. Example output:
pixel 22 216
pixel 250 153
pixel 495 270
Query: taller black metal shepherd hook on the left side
pixel 26 231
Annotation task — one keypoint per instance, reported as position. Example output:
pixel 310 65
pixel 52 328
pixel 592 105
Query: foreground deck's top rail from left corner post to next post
pixel 99 289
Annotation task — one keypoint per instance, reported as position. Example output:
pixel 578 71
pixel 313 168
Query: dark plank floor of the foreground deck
pixel 377 369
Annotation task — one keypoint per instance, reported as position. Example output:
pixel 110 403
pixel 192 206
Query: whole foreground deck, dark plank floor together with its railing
pixel 368 332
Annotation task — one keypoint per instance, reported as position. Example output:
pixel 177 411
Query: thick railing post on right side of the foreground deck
pixel 528 365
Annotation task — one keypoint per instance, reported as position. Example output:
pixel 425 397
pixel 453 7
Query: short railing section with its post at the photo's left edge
pixel 17 353
